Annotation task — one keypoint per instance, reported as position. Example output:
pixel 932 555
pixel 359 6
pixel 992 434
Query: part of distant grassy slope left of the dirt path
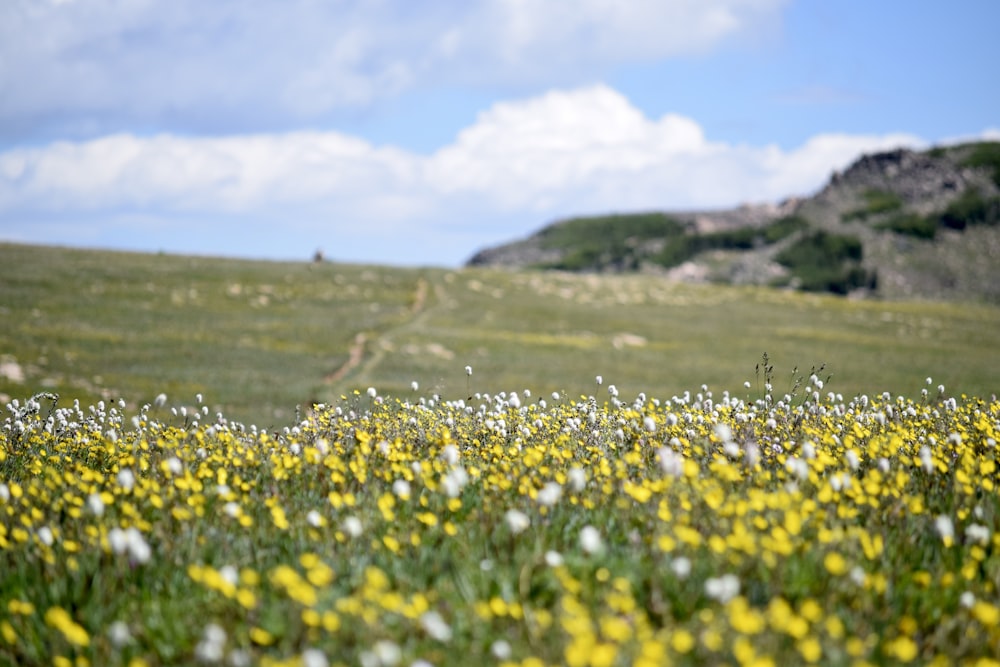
pixel 255 338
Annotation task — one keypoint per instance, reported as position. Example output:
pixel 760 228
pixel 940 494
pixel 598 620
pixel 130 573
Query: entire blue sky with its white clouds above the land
pixel 414 134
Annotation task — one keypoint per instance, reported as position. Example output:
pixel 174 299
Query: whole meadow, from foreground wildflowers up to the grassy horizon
pixel 486 468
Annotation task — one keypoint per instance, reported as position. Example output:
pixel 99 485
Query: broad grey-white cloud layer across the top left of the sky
pixel 232 65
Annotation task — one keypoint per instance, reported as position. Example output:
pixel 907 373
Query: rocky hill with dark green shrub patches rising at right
pixel 899 224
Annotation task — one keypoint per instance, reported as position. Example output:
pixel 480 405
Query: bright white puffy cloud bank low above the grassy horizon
pixel 521 164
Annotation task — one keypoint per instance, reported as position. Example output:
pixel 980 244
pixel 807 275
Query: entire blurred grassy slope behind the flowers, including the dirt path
pixel 258 338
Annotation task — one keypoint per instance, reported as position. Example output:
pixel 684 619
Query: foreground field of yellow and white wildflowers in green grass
pixel 507 530
